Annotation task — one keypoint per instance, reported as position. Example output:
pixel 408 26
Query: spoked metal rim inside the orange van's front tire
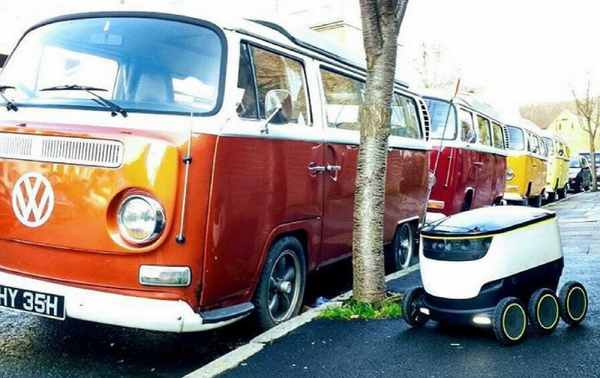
pixel 284 282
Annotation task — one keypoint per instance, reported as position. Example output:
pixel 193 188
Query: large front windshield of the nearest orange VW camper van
pixel 142 64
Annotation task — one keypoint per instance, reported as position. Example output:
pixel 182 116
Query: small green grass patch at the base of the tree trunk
pixel 390 308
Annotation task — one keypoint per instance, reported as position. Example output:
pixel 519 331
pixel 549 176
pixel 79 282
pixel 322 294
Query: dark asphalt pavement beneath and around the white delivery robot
pixel 390 348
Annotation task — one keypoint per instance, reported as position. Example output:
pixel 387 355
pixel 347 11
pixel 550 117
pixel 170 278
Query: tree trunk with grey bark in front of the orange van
pixel 381 20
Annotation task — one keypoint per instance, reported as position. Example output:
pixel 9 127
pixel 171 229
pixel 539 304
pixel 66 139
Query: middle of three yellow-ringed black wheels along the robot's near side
pixel 543 311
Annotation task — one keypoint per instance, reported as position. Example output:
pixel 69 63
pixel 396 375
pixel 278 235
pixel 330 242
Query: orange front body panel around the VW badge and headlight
pixel 80 243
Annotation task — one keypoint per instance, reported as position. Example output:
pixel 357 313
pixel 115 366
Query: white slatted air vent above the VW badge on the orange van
pixel 50 149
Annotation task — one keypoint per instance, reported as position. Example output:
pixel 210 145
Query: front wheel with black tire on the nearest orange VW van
pixel 278 284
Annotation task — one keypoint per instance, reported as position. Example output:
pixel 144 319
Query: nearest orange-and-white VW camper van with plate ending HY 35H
pixel 168 172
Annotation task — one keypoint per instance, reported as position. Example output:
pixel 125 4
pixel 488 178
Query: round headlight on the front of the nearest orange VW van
pixel 141 219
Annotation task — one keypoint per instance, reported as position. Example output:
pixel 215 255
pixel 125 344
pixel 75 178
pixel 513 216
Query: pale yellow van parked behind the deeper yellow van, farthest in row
pixel 557 176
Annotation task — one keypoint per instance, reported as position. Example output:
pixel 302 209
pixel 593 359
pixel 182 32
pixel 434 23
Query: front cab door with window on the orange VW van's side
pixel 262 177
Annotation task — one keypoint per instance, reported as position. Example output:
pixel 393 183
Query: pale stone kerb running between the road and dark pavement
pixel 241 354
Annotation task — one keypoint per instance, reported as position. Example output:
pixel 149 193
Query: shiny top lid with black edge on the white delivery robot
pixel 487 221
